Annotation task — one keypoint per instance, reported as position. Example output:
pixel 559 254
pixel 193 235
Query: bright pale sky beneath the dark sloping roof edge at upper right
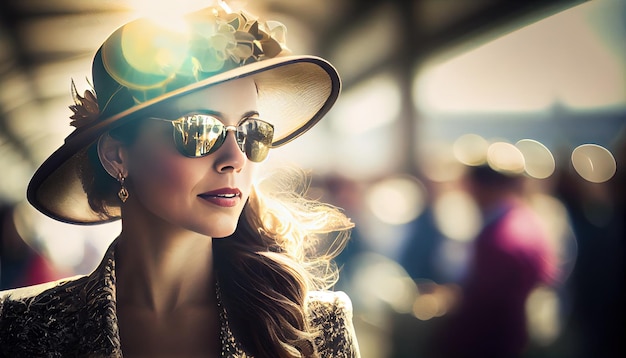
pixel 577 57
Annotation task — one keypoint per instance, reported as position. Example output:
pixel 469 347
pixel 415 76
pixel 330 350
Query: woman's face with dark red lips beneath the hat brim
pixel 207 194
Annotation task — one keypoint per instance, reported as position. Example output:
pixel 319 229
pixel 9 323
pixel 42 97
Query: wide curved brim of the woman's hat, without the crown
pixel 295 92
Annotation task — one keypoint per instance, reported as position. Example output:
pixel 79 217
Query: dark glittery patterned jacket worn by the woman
pixel 77 318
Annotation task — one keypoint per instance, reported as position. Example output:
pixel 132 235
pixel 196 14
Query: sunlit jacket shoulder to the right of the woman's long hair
pixel 330 314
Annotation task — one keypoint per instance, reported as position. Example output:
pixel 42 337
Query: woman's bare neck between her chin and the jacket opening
pixel 162 269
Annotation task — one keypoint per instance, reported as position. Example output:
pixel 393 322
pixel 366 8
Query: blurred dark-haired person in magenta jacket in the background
pixel 510 257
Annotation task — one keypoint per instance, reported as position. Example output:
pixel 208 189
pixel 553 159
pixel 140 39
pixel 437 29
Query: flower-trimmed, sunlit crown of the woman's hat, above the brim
pixel 151 58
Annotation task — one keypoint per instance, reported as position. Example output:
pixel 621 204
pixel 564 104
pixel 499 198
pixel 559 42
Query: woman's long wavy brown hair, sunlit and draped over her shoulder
pixel 282 248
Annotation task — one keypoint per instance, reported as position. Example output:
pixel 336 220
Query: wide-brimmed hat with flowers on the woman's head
pixel 144 63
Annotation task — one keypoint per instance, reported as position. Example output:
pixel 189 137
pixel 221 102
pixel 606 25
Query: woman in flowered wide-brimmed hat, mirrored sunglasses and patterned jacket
pixel 209 262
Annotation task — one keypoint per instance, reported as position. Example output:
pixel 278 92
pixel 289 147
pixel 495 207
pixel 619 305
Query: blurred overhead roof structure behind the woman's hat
pixel 45 43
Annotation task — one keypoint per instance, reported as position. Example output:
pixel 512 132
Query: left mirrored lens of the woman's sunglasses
pixel 198 135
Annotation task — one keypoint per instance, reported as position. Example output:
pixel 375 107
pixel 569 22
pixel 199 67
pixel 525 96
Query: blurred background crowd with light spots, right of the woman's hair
pixel 514 267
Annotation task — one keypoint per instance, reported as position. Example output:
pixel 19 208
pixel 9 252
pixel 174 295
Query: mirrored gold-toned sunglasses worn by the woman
pixel 198 135
